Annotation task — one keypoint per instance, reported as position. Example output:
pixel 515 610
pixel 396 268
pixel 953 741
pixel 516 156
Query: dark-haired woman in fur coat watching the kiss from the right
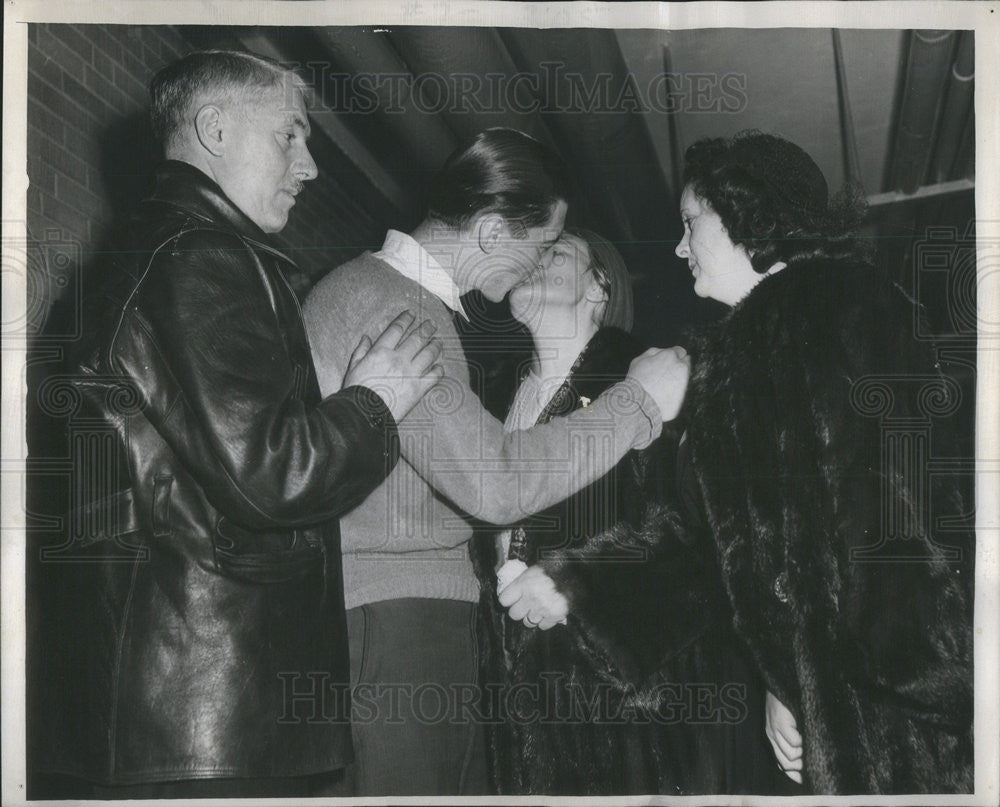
pixel 857 607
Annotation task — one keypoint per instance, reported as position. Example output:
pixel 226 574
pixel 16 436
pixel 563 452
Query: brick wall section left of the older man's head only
pixel 86 138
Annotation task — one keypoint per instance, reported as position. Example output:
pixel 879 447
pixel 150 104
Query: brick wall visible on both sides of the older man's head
pixel 90 152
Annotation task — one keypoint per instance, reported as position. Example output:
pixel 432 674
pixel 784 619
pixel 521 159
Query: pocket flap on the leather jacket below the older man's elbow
pixel 265 557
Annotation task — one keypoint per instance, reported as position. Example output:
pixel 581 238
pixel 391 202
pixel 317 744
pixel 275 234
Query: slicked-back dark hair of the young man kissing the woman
pixel 500 171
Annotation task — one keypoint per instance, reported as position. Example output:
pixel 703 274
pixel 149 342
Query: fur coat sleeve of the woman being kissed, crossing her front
pixel 640 586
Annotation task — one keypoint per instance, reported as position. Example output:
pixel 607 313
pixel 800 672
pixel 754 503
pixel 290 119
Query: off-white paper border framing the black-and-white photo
pixel 982 17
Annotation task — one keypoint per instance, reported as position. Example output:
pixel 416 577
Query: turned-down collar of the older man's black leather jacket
pixel 182 185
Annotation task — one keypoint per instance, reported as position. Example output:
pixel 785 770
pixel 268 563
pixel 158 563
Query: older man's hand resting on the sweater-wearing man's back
pixel 401 365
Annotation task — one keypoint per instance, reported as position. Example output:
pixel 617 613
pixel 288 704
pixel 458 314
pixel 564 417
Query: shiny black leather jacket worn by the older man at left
pixel 192 620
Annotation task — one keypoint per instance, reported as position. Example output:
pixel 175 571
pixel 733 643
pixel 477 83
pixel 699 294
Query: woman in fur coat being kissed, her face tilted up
pixel 615 670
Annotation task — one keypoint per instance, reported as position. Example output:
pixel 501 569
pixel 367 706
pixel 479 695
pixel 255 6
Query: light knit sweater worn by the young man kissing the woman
pixel 408 538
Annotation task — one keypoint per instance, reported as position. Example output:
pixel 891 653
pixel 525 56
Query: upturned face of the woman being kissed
pixel 561 281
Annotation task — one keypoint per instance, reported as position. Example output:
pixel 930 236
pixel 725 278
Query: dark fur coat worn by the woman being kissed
pixel 643 691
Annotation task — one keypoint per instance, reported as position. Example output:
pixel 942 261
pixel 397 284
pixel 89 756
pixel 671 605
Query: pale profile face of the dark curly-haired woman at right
pixel 721 269
